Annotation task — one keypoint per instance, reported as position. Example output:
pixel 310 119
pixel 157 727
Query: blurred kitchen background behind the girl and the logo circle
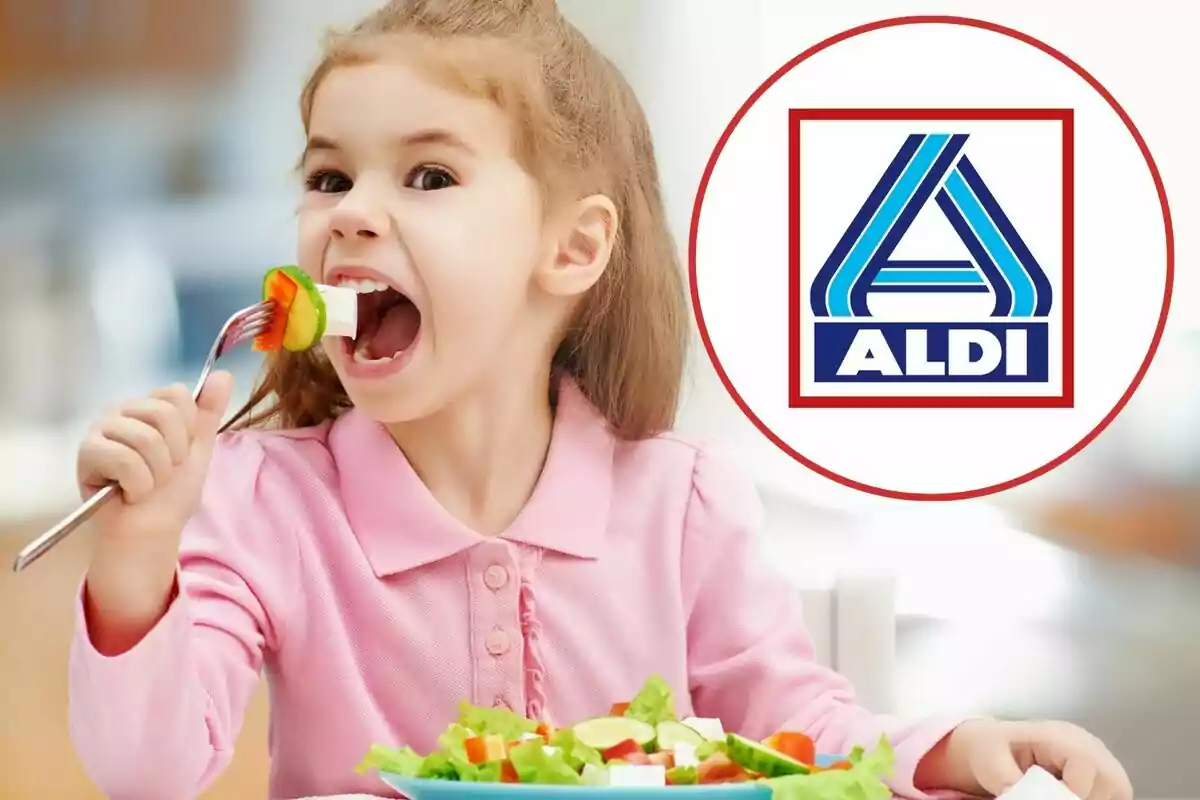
pixel 147 151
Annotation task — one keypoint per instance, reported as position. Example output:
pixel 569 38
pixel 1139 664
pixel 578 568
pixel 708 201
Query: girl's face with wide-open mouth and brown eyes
pixel 413 197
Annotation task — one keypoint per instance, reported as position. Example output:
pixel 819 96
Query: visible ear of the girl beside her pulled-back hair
pixel 587 234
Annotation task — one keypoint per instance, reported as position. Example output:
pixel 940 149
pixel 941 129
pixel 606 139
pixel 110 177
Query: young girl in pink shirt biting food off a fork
pixel 477 500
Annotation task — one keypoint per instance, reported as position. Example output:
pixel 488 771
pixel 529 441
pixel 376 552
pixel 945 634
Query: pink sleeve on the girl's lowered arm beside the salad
pixel 751 659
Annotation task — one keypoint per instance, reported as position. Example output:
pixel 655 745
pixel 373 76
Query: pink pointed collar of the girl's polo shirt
pixel 401 526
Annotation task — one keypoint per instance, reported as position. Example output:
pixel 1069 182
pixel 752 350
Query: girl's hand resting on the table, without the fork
pixel 988 757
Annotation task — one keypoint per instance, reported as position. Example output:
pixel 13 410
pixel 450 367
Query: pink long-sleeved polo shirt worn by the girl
pixel 321 560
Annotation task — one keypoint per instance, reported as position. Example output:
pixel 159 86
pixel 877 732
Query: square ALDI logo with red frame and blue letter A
pixel 932 258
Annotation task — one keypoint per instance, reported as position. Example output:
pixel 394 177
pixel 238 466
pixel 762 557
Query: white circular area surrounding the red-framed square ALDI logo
pixel 742 260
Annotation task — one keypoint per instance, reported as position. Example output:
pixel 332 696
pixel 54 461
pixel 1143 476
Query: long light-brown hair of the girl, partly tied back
pixel 580 130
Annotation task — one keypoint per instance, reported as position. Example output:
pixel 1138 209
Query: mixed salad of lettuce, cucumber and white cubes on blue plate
pixel 640 743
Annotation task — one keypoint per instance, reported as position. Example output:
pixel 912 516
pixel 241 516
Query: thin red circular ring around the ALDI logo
pixel 965 22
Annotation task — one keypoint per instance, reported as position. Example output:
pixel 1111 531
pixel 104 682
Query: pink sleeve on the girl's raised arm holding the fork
pixel 160 720
